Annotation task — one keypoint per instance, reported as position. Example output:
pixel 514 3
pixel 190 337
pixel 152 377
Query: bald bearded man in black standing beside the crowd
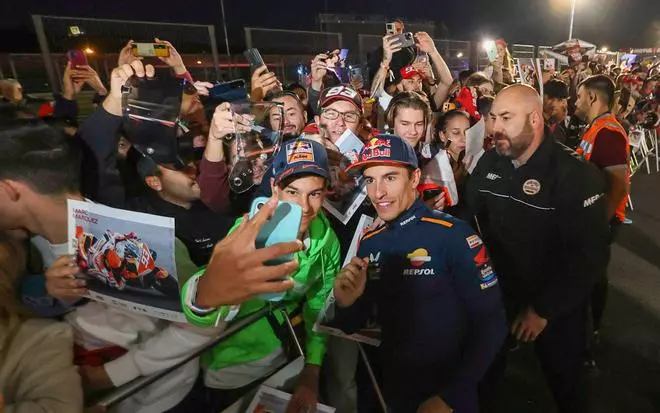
pixel 543 216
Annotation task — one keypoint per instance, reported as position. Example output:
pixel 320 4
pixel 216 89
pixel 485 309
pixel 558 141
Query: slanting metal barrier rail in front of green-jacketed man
pixel 141 383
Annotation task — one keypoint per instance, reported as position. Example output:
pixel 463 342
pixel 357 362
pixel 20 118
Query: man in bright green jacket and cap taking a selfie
pixel 300 176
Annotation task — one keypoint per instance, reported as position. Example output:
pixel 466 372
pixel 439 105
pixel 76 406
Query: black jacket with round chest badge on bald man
pixel 545 225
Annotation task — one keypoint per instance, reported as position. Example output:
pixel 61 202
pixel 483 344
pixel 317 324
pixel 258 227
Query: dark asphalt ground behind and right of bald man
pixel 628 376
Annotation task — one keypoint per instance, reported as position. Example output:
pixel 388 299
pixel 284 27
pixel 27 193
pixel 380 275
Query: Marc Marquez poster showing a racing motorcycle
pixel 127 258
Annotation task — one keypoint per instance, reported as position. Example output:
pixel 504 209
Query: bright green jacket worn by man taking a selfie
pixel 318 266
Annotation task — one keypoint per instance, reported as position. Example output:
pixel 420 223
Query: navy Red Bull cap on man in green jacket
pixel 300 156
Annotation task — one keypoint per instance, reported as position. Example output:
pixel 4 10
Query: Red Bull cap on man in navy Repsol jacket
pixel 387 149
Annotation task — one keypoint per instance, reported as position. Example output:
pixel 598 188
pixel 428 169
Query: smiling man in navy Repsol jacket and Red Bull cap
pixel 437 296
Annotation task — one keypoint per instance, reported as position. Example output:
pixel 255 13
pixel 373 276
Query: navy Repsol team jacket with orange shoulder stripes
pixel 438 304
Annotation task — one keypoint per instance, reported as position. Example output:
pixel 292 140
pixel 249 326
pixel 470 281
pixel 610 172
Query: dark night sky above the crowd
pixel 614 23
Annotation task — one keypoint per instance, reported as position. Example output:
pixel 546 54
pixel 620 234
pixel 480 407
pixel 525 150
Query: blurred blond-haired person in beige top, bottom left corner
pixel 36 355
